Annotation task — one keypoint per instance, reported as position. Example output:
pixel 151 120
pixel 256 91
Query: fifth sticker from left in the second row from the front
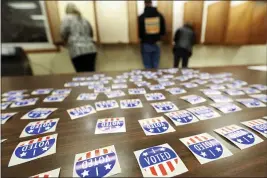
pixel 204 112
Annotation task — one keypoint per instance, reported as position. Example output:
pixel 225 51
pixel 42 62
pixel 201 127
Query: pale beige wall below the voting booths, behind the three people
pixel 127 57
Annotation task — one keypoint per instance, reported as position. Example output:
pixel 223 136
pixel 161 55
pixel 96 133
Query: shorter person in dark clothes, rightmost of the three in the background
pixel 184 40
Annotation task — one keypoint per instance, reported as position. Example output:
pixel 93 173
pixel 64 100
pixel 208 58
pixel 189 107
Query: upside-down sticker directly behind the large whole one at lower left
pixel 39 127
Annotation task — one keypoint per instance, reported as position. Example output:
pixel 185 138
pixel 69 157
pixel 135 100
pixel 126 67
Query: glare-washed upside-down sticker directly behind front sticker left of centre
pixel 110 125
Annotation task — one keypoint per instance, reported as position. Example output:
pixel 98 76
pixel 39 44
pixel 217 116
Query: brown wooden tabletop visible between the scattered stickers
pixel 77 136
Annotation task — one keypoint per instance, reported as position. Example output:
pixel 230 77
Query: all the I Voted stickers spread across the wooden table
pixel 155 161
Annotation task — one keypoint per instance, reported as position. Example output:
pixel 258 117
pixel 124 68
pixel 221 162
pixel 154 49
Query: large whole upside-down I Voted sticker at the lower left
pixel 33 149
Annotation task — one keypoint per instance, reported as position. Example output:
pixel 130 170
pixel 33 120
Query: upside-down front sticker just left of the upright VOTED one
pixel 102 162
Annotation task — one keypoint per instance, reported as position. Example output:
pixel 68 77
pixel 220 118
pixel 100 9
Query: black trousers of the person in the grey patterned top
pixel 84 63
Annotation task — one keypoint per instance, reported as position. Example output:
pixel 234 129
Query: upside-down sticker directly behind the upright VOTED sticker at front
pixel 156 126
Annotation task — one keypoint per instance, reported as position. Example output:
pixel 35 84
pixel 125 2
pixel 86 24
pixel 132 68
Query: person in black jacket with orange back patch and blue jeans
pixel 151 28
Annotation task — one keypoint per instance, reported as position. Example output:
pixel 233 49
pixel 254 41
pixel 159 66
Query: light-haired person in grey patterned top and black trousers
pixel 77 34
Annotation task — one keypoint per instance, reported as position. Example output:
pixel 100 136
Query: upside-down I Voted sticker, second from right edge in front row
pixel 241 137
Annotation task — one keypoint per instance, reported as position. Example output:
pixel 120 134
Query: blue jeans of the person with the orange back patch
pixel 150 55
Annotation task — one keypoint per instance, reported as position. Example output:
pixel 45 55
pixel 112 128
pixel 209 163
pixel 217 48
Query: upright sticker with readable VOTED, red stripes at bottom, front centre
pixel 160 161
